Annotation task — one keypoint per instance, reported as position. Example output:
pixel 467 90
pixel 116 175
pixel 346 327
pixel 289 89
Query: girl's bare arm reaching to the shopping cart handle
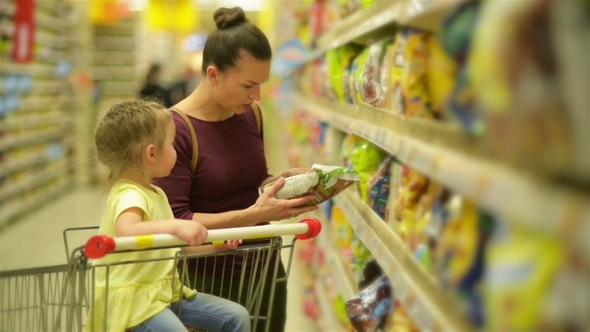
pixel 130 223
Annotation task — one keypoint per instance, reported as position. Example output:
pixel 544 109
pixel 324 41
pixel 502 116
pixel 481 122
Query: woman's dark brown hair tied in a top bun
pixel 234 34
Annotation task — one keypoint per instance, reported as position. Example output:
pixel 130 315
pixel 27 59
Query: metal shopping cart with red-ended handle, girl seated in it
pixel 58 298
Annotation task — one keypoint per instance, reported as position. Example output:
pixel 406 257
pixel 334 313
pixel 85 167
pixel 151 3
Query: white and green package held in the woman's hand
pixel 323 181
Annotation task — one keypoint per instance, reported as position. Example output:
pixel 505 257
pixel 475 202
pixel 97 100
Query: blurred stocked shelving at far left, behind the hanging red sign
pixel 36 123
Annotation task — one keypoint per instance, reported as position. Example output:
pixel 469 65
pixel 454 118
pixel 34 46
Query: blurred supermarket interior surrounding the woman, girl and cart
pixel 466 121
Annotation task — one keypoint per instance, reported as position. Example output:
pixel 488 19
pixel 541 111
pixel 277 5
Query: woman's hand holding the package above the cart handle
pixel 270 208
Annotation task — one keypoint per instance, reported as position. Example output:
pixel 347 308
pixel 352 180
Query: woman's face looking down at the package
pixel 238 87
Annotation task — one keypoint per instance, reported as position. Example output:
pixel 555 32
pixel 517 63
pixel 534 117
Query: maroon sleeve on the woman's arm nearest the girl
pixel 177 185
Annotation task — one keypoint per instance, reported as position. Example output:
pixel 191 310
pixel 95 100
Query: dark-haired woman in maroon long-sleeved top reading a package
pixel 223 189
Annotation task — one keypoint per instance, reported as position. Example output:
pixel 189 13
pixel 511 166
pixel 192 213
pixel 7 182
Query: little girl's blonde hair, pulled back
pixel 124 130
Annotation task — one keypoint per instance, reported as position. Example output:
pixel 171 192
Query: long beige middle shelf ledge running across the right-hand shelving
pixel 444 156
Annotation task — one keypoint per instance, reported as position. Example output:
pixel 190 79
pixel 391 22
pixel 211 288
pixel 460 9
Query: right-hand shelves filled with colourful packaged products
pixel 459 132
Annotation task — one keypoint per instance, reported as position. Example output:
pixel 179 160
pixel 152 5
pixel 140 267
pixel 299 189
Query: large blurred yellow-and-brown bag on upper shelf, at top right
pixel 514 73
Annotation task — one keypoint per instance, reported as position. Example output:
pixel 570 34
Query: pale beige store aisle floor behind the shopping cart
pixel 37 240
